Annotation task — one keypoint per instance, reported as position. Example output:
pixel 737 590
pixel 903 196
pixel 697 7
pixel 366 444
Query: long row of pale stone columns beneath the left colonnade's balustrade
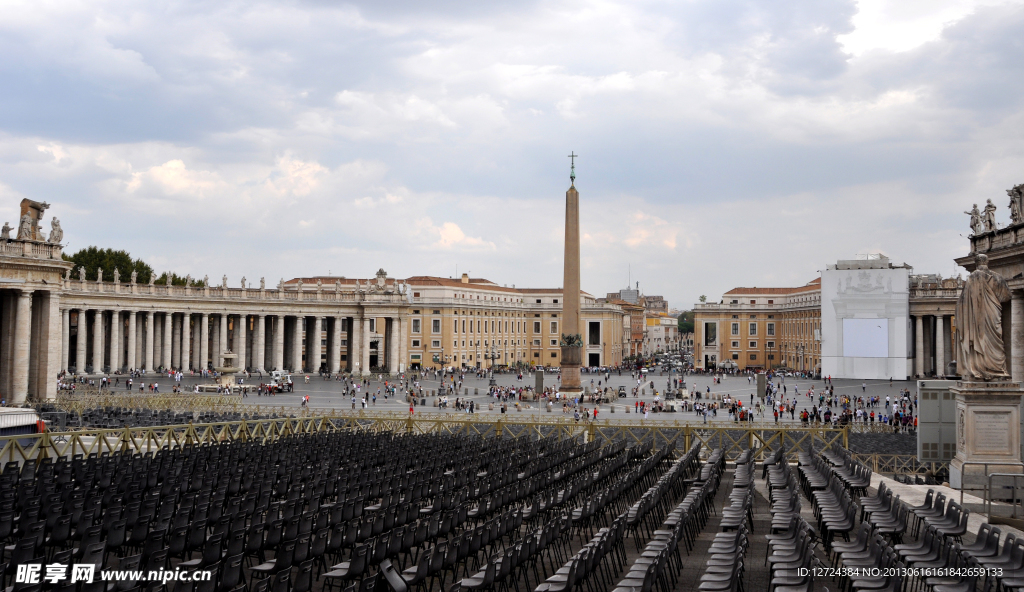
pixel 112 341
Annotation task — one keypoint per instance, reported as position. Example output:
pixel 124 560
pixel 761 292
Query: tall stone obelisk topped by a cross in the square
pixel 572 342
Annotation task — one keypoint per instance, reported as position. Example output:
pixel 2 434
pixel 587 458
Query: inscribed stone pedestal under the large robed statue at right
pixel 989 431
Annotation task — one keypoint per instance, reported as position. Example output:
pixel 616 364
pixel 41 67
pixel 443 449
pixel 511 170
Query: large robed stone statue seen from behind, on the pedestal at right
pixel 979 319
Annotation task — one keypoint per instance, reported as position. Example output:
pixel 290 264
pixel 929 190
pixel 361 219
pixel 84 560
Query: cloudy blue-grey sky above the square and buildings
pixel 722 143
